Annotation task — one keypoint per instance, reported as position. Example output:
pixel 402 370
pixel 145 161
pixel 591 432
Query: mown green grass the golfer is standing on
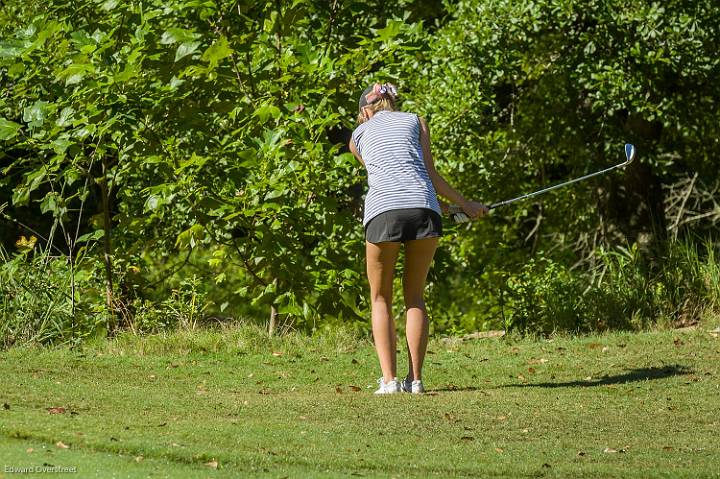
pixel 168 406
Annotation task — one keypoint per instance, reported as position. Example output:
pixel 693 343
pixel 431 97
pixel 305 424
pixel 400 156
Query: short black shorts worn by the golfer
pixel 404 225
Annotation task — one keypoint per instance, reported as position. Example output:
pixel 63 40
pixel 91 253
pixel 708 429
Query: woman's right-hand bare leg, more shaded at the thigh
pixel 418 257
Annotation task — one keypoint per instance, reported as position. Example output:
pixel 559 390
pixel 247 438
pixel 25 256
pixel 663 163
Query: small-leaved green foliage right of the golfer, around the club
pixel 522 96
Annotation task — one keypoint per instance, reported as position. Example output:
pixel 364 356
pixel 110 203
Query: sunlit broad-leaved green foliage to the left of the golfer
pixel 209 130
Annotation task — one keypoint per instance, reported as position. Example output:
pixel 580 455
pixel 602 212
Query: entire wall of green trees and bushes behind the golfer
pixel 206 139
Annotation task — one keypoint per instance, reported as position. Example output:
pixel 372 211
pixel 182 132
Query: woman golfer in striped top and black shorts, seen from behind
pixel 401 206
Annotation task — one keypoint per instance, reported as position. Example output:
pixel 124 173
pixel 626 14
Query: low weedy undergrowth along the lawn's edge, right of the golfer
pixel 627 290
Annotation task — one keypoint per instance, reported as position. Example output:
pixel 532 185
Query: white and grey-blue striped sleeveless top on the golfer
pixel 389 144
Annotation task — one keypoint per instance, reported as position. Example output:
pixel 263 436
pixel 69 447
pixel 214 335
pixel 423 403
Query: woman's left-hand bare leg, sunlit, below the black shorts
pixel 381 258
